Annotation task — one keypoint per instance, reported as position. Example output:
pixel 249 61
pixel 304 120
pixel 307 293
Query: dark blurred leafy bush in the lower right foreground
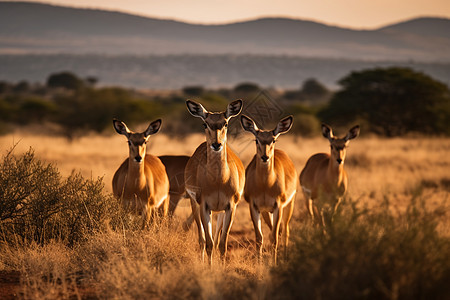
pixel 370 255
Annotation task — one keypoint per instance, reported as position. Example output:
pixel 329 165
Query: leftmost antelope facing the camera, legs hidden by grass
pixel 141 181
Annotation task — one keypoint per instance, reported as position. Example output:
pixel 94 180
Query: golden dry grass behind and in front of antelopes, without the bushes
pixel 164 262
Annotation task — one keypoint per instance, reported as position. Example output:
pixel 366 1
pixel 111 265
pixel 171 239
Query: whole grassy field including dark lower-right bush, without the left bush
pixel 412 174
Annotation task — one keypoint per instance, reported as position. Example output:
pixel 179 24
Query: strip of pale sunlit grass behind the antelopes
pixel 375 166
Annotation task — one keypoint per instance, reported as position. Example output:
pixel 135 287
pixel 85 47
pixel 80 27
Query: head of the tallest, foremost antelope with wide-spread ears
pixel 215 123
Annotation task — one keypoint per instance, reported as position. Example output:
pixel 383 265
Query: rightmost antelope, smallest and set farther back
pixel 324 180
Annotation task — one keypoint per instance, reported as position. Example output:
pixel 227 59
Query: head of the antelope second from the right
pixel 265 139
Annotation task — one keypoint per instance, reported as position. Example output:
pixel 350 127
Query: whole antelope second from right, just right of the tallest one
pixel 271 183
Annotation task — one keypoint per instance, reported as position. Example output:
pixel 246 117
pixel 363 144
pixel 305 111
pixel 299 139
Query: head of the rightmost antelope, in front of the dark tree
pixel 339 145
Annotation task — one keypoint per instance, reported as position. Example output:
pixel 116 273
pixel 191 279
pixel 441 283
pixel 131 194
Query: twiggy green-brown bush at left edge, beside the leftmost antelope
pixel 37 205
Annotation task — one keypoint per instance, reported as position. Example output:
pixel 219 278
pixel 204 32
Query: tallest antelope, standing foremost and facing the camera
pixel 214 177
